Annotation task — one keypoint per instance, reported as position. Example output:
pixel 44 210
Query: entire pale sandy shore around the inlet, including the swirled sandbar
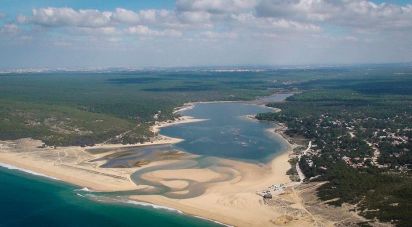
pixel 230 192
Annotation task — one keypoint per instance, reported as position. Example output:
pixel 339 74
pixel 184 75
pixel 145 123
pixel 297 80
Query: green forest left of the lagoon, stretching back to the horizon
pixel 87 108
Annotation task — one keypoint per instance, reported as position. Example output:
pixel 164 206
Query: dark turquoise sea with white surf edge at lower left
pixel 27 200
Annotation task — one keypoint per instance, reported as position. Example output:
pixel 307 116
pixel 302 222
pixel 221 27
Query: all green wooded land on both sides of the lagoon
pixel 359 119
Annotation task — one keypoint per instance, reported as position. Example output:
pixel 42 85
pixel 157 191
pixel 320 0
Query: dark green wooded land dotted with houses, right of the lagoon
pixel 361 135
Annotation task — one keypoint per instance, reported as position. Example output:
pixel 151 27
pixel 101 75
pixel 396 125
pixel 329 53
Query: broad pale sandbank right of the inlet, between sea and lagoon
pixel 235 202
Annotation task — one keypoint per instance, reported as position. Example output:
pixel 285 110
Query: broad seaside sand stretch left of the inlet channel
pixel 66 164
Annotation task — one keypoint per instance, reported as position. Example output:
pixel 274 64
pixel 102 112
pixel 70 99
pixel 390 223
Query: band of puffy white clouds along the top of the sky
pixel 246 15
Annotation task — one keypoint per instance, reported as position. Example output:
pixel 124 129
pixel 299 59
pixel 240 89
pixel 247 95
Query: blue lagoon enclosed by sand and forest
pixel 227 132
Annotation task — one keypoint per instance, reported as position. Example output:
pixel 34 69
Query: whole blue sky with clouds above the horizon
pixel 184 33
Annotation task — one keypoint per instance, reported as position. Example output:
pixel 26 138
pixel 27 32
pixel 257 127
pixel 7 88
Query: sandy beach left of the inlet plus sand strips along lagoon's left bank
pixel 72 164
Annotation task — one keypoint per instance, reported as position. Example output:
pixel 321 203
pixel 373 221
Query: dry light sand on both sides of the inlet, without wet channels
pixel 234 201
